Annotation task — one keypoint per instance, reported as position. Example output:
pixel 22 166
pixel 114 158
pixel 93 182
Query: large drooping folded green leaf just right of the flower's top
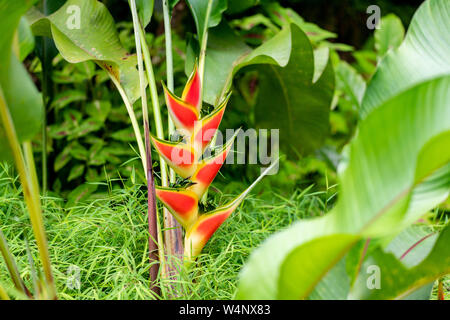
pixel 295 93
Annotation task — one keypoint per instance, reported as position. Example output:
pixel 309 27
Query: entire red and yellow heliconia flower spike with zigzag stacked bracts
pixel 185 159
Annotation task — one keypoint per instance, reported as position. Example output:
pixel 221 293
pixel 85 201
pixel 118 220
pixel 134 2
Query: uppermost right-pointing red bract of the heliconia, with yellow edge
pixel 206 127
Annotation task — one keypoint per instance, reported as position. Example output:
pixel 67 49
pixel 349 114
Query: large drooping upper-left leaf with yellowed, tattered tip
pixel 94 38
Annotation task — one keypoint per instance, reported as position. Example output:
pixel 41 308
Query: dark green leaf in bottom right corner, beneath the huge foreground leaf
pixel 398 278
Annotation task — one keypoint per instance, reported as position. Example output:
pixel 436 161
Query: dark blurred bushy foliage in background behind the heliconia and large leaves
pixel 90 138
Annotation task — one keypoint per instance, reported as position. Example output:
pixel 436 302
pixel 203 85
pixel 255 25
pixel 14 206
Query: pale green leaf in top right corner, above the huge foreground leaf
pixel 422 56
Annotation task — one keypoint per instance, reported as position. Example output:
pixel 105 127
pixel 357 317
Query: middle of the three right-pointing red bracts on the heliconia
pixel 208 168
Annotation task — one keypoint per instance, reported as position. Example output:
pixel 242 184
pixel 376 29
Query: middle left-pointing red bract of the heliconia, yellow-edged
pixel 179 156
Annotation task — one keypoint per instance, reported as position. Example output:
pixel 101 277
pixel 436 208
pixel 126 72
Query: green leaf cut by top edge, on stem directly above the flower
pixel 199 10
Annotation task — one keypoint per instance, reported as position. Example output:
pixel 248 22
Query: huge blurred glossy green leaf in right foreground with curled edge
pixel 400 144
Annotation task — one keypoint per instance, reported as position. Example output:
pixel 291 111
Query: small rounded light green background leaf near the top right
pixel 390 35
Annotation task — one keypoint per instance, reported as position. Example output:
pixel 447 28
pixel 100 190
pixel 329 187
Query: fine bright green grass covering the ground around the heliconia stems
pixel 106 239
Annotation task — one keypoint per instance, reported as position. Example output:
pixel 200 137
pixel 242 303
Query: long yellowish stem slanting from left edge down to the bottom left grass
pixel 31 195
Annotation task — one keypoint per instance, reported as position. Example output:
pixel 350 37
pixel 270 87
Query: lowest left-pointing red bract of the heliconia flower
pixel 182 203
